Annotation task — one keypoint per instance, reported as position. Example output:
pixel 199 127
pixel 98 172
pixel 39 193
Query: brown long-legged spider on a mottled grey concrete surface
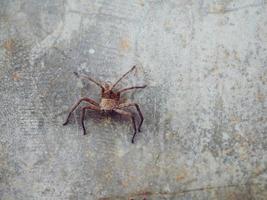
pixel 110 102
